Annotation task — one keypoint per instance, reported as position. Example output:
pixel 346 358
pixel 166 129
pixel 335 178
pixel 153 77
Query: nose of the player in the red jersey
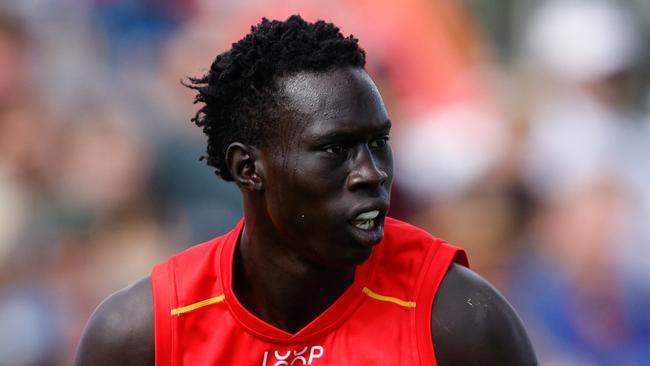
pixel 365 172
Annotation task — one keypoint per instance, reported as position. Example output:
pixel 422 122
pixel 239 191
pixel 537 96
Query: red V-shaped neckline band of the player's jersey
pixel 331 318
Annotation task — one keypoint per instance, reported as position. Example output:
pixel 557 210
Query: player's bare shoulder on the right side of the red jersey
pixel 473 324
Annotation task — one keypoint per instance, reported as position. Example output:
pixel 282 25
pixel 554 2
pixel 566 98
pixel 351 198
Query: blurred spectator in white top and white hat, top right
pixel 583 123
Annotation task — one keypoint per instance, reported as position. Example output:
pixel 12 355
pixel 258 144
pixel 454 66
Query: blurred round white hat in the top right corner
pixel 580 41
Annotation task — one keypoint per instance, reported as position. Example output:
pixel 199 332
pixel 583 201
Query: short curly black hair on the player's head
pixel 239 94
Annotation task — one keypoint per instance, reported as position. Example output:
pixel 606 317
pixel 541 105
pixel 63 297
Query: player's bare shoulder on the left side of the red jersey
pixel 121 330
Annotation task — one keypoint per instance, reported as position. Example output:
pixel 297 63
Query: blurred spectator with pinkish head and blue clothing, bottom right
pixel 579 306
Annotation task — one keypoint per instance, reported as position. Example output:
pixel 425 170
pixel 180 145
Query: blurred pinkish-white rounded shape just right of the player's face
pixel 443 155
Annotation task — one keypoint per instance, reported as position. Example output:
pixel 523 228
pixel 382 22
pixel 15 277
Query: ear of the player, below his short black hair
pixel 245 166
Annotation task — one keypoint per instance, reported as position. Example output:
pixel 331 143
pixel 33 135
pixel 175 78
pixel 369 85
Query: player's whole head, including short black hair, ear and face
pixel 302 129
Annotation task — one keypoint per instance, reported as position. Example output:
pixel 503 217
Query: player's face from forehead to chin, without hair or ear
pixel 328 179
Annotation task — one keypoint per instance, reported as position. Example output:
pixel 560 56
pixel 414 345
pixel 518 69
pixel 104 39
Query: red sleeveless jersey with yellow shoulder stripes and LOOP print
pixel 383 318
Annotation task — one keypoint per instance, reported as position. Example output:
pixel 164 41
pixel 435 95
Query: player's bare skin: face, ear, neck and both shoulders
pixel 300 242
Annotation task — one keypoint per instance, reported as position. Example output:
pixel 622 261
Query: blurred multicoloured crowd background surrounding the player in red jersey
pixel 521 132
